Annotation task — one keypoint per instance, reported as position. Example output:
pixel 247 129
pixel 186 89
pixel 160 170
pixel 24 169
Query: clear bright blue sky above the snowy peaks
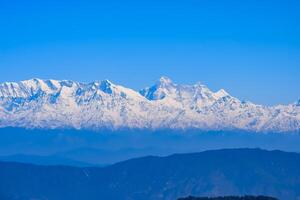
pixel 251 48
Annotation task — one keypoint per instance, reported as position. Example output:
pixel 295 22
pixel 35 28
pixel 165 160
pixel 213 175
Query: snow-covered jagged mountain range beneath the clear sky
pixel 53 104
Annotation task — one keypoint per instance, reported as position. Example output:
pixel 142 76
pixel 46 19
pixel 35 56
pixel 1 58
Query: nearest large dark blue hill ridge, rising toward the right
pixel 209 173
